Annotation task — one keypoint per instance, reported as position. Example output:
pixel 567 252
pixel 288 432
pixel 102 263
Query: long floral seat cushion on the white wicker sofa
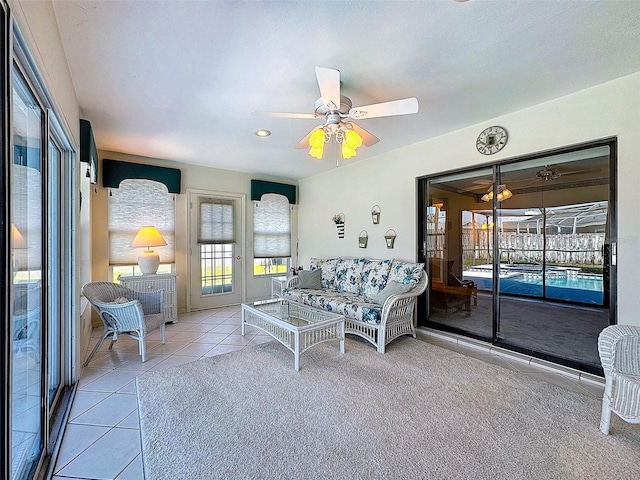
pixel 347 304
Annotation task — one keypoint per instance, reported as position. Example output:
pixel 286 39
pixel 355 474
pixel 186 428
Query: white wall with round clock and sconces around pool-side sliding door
pixel 608 110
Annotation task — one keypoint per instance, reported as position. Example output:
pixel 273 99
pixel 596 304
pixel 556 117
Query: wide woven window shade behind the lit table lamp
pixel 136 203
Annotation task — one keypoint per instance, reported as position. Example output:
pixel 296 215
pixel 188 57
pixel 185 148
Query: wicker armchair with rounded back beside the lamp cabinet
pixel 125 312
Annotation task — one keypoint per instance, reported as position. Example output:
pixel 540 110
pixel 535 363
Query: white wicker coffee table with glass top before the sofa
pixel 296 326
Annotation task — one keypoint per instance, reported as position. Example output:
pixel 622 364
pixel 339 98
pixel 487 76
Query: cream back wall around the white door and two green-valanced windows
pixel 193 177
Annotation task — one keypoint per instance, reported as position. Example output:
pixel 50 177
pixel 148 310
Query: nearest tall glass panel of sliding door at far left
pixel 26 288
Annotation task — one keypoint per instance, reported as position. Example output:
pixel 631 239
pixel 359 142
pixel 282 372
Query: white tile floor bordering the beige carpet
pixel 102 438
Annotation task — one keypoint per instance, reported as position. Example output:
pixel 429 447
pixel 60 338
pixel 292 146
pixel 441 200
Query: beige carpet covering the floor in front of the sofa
pixel 418 411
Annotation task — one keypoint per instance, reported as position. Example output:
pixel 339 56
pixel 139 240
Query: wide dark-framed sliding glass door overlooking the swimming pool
pixel 522 257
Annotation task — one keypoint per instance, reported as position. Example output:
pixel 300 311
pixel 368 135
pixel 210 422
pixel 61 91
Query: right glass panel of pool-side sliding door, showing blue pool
pixel 552 236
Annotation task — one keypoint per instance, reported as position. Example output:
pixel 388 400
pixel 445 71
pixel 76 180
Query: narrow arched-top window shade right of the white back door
pixel 272 227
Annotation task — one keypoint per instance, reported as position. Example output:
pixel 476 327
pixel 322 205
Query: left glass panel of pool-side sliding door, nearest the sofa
pixel 459 250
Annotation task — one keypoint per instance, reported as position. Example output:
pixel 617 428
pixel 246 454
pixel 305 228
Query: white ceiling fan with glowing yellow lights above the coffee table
pixel 338 113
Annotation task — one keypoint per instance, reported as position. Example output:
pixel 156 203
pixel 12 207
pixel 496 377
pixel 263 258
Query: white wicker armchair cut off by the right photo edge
pixel 619 349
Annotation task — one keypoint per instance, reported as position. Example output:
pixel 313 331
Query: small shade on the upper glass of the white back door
pixel 217 222
